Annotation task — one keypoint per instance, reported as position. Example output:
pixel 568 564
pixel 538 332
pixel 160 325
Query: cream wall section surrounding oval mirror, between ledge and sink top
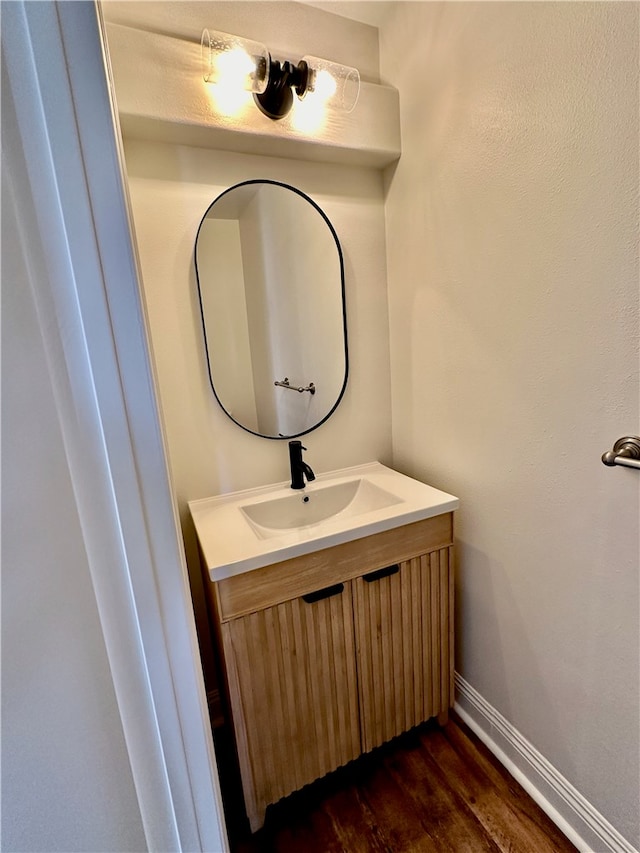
pixel 171 187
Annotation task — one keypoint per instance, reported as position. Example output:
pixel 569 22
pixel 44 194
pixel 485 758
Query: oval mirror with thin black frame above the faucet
pixel 270 279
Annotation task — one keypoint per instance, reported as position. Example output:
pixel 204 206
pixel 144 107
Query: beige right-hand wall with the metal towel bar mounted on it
pixel 512 241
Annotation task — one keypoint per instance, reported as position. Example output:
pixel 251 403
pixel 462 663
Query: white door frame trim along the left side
pixel 95 334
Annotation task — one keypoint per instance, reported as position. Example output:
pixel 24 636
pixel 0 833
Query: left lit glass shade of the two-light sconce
pixel 233 61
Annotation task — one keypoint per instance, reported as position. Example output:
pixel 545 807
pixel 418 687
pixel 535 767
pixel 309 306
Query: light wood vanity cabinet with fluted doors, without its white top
pixel 331 654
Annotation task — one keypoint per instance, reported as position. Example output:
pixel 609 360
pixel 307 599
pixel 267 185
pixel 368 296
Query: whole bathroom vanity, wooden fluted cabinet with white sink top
pixel 342 637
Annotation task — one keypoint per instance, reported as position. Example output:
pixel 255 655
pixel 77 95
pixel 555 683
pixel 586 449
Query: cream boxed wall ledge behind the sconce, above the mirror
pixel 162 97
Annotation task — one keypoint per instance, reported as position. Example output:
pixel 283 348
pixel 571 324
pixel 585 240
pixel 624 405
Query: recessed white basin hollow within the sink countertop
pixel 348 499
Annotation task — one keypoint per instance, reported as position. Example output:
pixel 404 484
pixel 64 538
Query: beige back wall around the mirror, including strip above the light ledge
pixel 171 187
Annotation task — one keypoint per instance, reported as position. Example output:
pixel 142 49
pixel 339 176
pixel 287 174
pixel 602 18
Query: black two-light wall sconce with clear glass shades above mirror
pixel 232 61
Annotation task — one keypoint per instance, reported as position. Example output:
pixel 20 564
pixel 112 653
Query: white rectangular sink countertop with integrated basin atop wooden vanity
pixel 253 528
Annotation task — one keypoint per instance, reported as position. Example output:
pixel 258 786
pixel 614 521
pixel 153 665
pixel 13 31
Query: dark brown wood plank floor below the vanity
pixel 432 790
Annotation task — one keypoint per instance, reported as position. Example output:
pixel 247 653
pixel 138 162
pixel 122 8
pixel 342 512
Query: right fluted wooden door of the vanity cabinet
pixel 404 644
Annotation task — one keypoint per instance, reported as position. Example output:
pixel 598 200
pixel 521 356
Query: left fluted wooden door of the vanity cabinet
pixel 292 681
